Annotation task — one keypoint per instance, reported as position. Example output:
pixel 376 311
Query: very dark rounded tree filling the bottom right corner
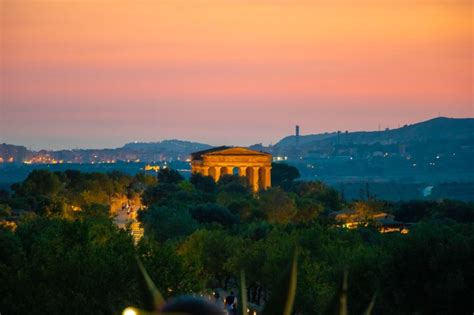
pixel 429 271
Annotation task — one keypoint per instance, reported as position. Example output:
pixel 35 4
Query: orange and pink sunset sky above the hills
pixel 99 73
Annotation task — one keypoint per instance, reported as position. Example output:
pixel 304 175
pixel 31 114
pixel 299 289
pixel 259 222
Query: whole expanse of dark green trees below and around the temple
pixel 199 235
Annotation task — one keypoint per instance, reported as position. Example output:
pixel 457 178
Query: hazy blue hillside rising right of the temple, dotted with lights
pixel 434 151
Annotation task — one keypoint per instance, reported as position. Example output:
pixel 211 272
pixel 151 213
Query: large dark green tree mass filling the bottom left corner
pixel 58 266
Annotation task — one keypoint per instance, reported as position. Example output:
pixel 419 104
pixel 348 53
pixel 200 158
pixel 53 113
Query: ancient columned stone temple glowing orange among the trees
pixel 217 162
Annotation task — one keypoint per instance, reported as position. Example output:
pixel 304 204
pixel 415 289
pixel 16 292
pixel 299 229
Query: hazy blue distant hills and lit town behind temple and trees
pixel 412 158
